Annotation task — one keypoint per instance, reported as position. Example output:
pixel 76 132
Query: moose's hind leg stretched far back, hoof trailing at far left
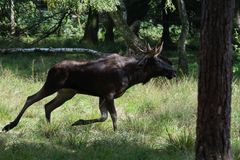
pixel 30 100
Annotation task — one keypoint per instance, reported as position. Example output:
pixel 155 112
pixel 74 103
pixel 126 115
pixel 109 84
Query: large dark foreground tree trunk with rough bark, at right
pixel 215 78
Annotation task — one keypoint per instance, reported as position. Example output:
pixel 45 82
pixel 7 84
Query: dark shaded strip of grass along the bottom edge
pixel 99 149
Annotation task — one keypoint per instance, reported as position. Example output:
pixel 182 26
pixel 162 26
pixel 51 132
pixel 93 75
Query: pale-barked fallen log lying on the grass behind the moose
pixel 51 50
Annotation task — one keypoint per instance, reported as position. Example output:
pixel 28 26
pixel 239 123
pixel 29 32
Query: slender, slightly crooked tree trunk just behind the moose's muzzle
pixel 182 60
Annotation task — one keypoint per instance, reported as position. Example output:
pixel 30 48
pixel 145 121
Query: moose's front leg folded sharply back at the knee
pixel 104 115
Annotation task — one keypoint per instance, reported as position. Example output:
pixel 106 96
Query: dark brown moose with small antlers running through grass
pixel 107 78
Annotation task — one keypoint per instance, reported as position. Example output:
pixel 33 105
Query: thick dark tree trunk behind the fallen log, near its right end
pixel 92 26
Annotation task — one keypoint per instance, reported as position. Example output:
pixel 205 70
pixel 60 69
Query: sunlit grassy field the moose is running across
pixel 156 121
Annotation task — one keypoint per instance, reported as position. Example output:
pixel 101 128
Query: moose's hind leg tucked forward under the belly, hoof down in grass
pixel 62 96
